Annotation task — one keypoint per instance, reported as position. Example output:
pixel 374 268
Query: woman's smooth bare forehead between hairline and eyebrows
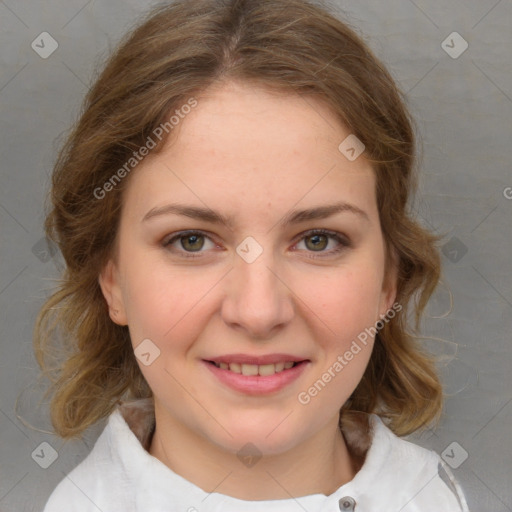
pixel 248 147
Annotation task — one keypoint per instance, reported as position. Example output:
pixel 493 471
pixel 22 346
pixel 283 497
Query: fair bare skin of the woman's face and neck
pixel 256 155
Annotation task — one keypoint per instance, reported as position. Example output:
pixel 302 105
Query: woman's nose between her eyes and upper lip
pixel 257 300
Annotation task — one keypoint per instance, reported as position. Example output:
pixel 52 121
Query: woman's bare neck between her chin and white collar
pixel 319 466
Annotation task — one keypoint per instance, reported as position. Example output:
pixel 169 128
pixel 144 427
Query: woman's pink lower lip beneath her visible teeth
pixel 256 384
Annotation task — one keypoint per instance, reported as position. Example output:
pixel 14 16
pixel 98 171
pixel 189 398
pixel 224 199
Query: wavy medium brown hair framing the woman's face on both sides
pixel 294 46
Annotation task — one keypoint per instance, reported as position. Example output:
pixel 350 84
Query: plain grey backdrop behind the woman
pixel 463 107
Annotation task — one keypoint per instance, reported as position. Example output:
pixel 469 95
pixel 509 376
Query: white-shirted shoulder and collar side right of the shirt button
pixel 403 475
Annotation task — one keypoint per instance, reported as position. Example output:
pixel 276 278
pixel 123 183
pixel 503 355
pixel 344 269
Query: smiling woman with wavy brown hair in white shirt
pixel 232 207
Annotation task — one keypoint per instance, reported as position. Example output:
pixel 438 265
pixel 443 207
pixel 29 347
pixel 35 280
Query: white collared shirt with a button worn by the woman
pixel 120 475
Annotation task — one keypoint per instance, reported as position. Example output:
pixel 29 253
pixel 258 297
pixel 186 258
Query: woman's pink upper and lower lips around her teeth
pixel 257 384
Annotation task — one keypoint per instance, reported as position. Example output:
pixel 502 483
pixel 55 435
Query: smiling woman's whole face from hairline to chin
pixel 267 287
